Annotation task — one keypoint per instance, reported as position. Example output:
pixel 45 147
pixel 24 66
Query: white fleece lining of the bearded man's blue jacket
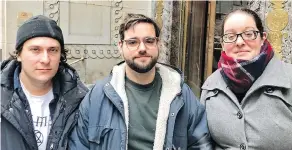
pixel 171 86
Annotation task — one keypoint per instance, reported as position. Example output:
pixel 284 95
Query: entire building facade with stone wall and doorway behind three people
pixel 190 37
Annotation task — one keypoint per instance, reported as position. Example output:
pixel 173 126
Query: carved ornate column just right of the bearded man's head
pixel 169 16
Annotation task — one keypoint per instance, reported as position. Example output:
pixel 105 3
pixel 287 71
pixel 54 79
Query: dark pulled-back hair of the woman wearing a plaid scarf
pixel 255 16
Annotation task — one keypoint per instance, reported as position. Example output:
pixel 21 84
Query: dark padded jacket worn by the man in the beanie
pixel 17 130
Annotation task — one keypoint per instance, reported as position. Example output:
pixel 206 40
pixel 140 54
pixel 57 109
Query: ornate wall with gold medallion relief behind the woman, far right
pixel 278 24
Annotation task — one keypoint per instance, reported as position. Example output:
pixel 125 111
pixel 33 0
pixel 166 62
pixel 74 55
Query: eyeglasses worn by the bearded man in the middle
pixel 134 43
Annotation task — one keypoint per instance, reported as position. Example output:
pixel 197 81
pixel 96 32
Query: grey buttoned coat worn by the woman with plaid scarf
pixel 263 119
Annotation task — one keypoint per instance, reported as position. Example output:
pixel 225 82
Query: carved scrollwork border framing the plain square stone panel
pixel 91 51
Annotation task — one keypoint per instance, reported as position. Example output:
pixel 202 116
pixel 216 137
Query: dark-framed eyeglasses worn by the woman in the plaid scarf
pixel 246 35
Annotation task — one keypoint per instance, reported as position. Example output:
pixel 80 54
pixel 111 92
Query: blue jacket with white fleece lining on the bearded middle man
pixel 104 115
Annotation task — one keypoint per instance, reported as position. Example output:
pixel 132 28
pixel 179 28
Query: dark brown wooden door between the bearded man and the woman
pixel 195 50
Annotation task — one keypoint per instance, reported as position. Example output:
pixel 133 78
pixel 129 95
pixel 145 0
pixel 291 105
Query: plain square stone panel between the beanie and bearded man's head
pixel 85 23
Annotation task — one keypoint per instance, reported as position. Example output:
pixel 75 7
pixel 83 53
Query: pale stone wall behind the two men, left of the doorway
pixel 90 30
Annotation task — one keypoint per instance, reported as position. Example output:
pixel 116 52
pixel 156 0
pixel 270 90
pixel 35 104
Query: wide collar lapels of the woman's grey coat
pixel 274 75
